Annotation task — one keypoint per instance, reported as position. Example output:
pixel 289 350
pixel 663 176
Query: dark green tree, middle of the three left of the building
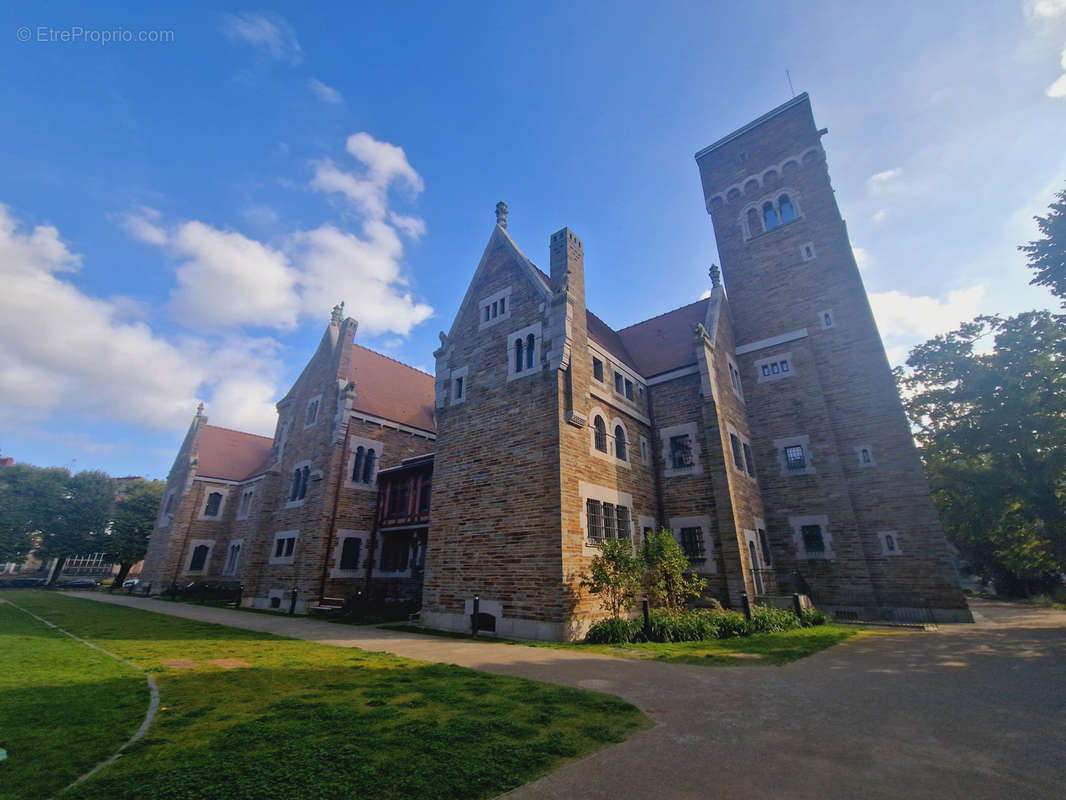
pixel 78 520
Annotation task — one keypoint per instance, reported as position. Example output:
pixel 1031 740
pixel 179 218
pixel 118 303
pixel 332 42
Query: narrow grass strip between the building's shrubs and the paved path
pixel 758 650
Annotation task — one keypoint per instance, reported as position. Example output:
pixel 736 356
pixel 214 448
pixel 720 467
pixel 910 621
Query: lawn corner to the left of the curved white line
pixel 64 708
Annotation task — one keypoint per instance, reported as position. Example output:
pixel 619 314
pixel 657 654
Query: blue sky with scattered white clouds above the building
pixel 179 217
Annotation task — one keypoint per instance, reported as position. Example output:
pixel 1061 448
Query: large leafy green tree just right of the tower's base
pixel 992 425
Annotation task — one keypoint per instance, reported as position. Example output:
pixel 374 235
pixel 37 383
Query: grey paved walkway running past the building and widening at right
pixel 971 712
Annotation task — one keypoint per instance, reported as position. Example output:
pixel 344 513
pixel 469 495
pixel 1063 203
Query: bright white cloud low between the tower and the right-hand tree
pixel 906 321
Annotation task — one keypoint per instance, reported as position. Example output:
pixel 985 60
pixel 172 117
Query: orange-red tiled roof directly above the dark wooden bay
pixel 393 391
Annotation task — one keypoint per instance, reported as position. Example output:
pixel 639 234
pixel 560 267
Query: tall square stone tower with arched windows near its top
pixel 847 501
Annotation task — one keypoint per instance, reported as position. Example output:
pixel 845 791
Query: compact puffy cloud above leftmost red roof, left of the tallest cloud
pixel 230 280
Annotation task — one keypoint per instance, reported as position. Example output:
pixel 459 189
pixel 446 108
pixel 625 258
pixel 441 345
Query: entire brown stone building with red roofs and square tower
pixel 763 428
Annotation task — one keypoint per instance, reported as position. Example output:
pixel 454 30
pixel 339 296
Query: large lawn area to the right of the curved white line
pixel 312 722
